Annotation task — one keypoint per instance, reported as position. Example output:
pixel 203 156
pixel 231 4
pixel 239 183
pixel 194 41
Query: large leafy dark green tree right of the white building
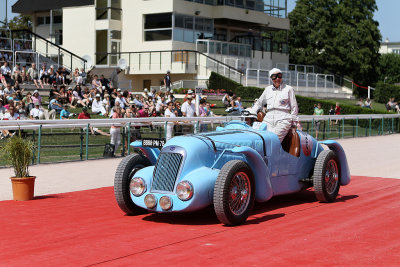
pixel 340 36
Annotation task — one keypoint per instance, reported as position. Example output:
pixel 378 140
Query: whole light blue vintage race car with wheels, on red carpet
pixel 230 169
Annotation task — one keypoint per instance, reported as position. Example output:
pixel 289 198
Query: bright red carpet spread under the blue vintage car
pixel 87 228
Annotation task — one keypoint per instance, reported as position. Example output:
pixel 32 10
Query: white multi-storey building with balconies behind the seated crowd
pixel 190 38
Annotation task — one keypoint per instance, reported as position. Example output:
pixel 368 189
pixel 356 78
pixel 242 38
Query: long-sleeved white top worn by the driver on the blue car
pixel 281 103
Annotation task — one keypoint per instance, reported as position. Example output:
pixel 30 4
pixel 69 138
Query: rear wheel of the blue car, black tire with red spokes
pixel 326 177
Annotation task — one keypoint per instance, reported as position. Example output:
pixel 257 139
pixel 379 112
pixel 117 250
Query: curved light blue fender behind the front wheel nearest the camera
pixel 260 171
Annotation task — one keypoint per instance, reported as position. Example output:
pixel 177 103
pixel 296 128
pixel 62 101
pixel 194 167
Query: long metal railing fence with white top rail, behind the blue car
pixel 72 140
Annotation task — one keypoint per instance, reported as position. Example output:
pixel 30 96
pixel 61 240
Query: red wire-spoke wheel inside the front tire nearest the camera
pixel 240 191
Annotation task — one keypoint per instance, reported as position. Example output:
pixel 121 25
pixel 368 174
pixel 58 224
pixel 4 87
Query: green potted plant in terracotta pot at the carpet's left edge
pixel 17 151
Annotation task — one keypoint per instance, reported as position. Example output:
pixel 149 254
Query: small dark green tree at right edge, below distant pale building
pixel 389 68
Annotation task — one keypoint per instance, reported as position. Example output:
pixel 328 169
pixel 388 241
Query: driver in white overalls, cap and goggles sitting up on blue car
pixel 282 110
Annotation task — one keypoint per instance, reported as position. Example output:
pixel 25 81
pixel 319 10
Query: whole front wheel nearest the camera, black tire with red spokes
pixel 229 206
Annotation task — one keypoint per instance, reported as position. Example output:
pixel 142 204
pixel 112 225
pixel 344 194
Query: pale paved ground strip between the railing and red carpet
pixel 369 156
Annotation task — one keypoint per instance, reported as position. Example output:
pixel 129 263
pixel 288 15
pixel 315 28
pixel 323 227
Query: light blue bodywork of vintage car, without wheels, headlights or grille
pixel 275 171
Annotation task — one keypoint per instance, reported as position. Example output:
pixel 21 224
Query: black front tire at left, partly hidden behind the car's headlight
pixel 125 170
